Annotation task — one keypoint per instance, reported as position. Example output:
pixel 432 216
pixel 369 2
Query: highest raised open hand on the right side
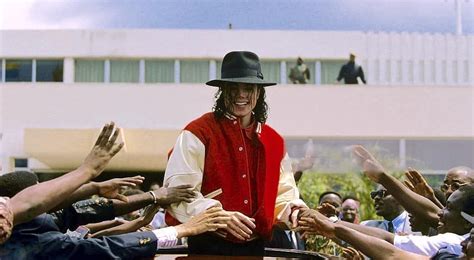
pixel 371 167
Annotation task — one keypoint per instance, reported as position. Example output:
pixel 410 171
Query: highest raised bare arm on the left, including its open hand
pixel 43 197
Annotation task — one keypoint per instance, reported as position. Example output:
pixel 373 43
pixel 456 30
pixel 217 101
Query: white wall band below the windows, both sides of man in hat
pixel 295 111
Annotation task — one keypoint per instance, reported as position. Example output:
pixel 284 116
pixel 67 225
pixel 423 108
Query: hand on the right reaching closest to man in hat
pixel 318 224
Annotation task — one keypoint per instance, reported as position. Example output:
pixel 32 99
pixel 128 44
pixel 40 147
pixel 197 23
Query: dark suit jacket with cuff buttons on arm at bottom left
pixel 41 239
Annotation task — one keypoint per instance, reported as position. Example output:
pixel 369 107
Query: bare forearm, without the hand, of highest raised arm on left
pixel 44 196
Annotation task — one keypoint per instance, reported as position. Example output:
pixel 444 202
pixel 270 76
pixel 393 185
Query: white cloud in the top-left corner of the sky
pixel 44 14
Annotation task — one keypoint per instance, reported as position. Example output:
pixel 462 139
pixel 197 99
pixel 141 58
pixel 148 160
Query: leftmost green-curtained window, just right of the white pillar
pixel 89 71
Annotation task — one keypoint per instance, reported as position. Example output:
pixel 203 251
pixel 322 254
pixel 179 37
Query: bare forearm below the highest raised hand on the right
pixel 411 201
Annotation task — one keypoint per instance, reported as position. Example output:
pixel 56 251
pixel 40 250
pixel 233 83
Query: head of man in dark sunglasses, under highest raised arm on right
pixel 385 204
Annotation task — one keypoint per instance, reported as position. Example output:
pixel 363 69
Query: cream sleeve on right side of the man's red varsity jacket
pixel 288 195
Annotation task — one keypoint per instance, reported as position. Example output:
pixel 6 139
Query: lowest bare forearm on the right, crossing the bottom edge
pixel 372 246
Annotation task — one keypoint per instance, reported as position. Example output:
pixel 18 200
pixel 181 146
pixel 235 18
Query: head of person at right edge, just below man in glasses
pixel 450 218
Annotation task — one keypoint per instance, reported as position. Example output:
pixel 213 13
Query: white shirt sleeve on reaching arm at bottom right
pixel 429 246
